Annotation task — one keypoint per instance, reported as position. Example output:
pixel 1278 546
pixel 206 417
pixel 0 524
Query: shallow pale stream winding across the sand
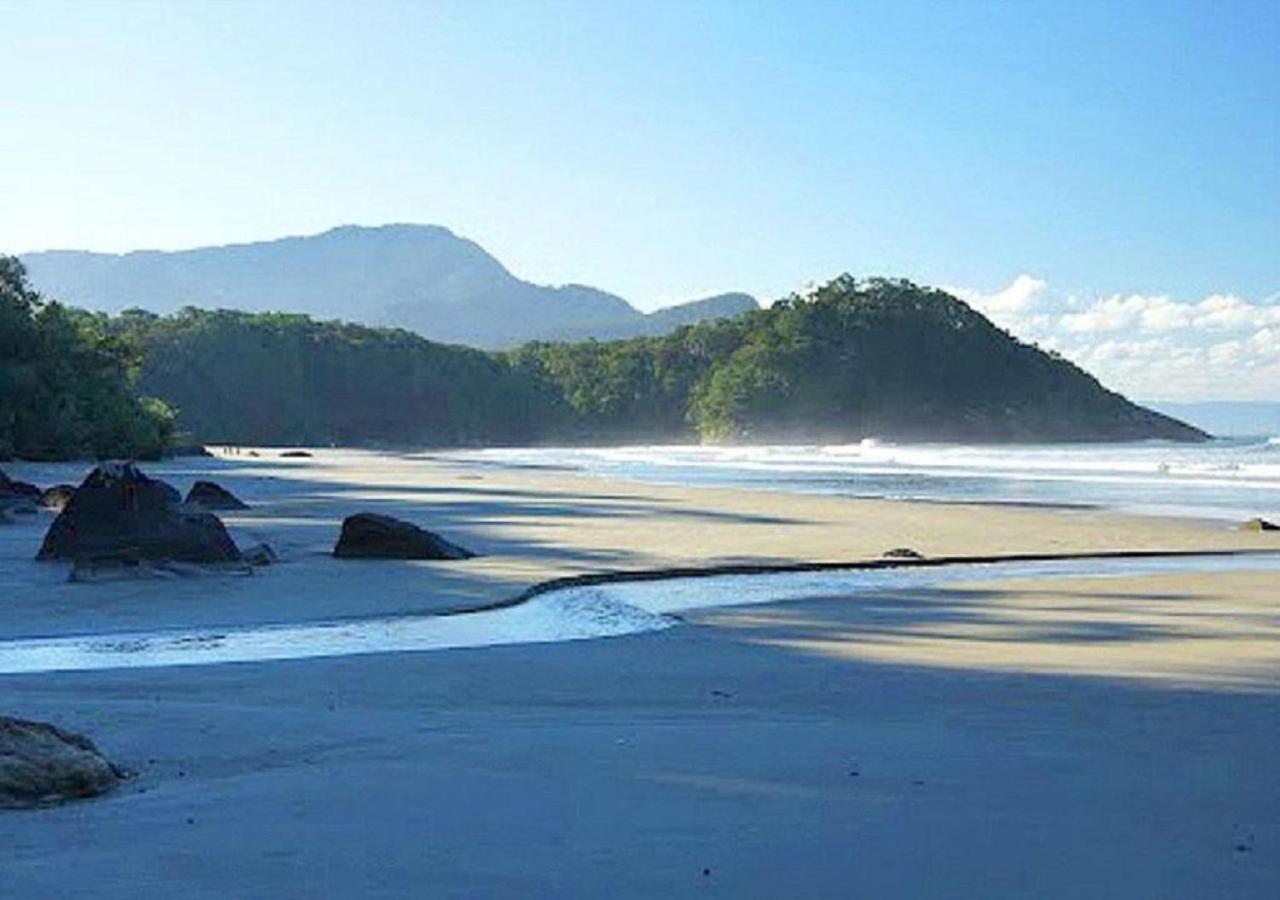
pixel 568 615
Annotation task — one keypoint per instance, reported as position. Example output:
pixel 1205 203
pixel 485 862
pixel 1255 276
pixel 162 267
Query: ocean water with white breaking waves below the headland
pixel 1226 479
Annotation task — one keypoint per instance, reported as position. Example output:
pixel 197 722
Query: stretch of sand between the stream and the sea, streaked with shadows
pixel 532 528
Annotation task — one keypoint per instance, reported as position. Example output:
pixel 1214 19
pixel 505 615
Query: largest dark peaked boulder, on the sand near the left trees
pixel 118 515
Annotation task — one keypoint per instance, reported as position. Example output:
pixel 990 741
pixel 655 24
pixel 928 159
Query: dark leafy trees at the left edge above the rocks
pixel 67 385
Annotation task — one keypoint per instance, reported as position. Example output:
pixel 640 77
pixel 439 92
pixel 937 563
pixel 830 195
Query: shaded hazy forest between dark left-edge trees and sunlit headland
pixel 275 378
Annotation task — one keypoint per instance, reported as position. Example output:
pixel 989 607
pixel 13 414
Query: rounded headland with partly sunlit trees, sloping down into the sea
pixel 849 360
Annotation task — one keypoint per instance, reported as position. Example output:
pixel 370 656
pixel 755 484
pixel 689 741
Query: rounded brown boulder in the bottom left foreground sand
pixel 42 764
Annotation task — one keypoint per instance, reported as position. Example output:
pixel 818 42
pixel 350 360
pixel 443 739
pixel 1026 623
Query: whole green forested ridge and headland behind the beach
pixel 851 360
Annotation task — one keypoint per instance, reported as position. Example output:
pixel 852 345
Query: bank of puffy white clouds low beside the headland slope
pixel 1150 346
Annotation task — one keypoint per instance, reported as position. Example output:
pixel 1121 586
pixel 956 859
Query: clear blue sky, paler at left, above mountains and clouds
pixel 666 150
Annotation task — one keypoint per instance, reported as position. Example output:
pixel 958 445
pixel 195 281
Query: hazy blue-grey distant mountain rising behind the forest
pixel 423 278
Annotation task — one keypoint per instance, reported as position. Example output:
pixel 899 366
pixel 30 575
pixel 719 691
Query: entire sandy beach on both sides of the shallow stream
pixel 1069 737
